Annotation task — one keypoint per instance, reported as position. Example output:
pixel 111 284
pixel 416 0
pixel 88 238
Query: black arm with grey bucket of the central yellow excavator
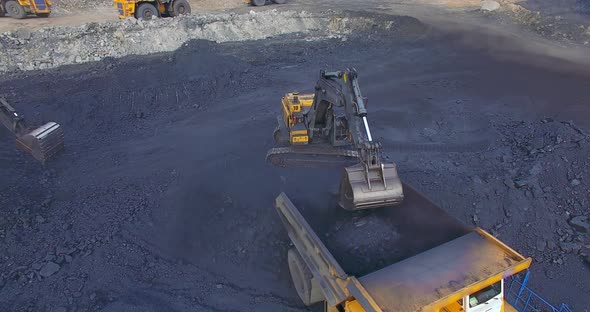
pixel 339 108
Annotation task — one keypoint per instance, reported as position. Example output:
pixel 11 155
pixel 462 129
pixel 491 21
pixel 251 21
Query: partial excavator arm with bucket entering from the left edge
pixel 42 142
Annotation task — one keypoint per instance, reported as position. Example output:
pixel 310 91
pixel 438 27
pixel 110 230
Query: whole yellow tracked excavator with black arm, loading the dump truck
pixel 330 127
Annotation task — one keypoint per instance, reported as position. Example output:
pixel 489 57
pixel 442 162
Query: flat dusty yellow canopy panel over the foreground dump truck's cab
pixel 437 274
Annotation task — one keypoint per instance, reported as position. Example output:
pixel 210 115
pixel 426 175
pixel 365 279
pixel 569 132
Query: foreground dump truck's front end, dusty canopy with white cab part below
pixel 465 274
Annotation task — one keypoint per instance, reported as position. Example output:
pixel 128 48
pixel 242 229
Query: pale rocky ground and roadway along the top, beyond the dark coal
pixel 83 32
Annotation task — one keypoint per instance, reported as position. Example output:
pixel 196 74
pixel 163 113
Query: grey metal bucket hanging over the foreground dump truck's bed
pixel 366 188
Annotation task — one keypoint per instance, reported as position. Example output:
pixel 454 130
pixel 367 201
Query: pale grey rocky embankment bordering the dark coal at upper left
pixel 52 47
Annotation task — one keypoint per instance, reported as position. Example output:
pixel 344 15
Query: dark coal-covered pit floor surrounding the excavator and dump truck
pixel 162 200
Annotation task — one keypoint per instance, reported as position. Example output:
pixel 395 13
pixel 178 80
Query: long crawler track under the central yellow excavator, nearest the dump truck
pixel 311 157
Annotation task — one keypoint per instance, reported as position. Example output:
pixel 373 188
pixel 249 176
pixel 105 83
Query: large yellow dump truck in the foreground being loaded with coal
pixel 412 257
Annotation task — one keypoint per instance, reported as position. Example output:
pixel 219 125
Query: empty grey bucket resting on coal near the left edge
pixel 43 142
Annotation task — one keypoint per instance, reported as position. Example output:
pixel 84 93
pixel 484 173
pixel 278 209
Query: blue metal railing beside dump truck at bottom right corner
pixel 524 299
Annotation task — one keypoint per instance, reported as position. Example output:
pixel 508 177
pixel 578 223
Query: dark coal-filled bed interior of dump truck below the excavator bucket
pixel 366 241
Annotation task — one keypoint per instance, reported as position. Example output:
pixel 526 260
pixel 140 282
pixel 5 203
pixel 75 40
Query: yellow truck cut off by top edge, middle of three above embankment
pixel 148 9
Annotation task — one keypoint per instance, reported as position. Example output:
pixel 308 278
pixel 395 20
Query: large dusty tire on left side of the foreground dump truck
pixel 303 279
